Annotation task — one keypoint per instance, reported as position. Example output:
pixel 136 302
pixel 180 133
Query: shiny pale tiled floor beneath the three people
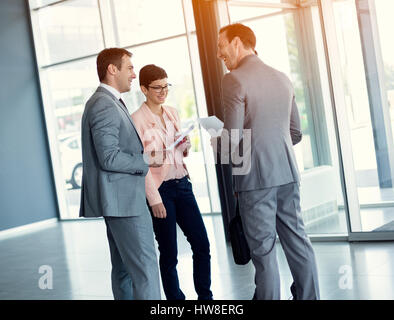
pixel 78 253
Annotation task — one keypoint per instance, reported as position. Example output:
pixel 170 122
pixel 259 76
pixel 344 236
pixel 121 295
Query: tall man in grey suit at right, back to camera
pixel 261 100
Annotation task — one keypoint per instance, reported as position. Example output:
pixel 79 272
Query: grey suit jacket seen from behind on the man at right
pixel 260 98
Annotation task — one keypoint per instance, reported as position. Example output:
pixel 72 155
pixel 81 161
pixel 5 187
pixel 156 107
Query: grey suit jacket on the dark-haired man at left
pixel 114 170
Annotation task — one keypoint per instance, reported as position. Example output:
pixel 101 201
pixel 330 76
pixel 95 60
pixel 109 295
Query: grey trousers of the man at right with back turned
pixel 265 212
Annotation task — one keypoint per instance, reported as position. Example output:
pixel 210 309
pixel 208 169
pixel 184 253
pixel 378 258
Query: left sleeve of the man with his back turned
pixel 233 98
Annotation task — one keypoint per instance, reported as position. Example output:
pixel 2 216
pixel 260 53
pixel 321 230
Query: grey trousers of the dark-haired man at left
pixel 135 271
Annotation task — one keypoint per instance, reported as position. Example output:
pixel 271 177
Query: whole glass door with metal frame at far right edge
pixel 361 55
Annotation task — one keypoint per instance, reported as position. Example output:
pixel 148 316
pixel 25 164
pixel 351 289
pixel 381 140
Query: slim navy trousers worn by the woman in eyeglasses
pixel 182 209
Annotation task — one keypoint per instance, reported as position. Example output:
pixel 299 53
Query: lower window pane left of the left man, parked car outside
pixel 67 87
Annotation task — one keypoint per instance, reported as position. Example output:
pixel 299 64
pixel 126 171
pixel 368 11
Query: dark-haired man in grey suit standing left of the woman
pixel 113 183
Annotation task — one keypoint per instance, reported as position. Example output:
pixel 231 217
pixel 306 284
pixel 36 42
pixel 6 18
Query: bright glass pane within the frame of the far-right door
pixel 366 59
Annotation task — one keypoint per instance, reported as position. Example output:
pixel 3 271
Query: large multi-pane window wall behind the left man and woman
pixel 68 36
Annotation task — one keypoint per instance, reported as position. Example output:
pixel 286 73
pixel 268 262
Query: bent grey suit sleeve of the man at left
pixel 105 124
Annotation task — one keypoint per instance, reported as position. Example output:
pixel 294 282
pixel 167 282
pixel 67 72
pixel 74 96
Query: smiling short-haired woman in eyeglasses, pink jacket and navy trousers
pixel 168 189
